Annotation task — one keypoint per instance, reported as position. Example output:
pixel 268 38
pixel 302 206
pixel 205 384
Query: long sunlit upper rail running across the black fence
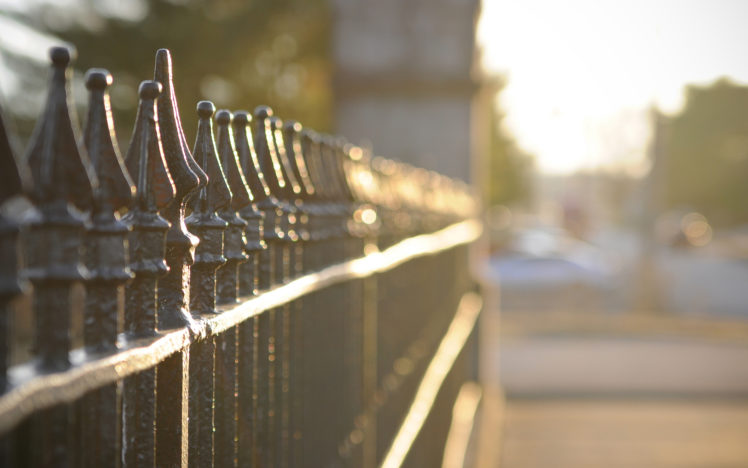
pixel 31 391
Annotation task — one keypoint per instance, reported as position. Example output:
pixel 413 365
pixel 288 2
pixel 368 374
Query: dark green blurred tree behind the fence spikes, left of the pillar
pixel 236 53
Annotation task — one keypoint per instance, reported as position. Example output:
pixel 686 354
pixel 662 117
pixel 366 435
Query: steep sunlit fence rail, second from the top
pixel 436 372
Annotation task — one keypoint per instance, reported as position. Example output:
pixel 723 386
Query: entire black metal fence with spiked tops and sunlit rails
pixel 272 297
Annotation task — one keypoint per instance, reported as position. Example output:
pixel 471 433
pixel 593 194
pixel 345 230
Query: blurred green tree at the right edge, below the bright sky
pixel 705 154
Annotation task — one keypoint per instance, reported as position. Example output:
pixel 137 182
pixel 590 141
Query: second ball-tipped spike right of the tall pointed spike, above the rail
pixel 234 239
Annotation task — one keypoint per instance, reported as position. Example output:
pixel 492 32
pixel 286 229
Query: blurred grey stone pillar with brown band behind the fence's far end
pixel 406 79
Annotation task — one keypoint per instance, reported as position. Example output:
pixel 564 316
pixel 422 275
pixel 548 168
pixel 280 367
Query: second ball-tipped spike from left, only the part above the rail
pixel 106 246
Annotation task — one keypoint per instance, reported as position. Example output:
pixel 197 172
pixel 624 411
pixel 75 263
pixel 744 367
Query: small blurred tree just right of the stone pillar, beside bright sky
pixel 509 166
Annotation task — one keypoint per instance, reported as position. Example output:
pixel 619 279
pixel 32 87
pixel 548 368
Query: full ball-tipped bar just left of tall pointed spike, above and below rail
pixel 154 190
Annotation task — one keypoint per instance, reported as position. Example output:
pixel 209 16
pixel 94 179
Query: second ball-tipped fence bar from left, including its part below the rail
pixel 107 262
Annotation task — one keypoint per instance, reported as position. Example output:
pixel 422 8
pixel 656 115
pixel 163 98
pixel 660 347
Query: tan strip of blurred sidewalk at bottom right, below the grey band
pixel 624 433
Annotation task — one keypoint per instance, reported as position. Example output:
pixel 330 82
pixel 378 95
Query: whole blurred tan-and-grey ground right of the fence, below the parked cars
pixel 615 392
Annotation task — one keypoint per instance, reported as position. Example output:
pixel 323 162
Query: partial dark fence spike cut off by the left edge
pixel 12 184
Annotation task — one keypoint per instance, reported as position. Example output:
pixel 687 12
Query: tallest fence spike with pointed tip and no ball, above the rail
pixel 173 295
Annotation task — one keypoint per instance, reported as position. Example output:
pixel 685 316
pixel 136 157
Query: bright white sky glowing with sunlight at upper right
pixel 582 73
